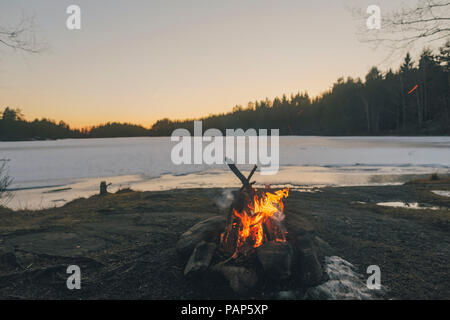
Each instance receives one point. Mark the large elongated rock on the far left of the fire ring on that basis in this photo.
(208, 230)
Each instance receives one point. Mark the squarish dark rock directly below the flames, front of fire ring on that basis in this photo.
(276, 259)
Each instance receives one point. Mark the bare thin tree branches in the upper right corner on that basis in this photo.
(427, 21)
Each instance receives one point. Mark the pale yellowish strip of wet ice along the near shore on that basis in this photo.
(56, 193)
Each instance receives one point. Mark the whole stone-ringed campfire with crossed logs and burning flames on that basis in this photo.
(253, 248)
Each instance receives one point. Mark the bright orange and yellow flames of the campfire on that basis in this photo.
(265, 211)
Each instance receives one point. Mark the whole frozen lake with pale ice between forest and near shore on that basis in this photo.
(49, 173)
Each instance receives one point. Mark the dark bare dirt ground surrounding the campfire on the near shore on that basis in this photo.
(125, 243)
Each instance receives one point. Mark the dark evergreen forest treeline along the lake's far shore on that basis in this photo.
(414, 99)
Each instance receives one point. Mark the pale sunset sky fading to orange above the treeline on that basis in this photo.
(142, 60)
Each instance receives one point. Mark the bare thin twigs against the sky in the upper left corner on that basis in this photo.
(21, 36)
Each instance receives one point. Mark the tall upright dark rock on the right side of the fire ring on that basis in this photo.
(311, 273)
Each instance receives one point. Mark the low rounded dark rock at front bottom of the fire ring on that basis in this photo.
(240, 279)
